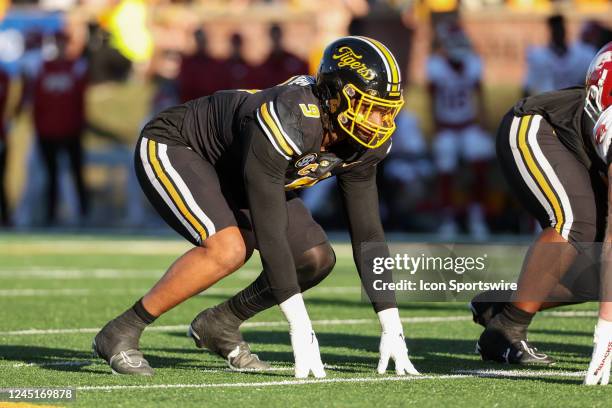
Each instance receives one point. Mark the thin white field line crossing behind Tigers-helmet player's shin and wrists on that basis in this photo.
(122, 291)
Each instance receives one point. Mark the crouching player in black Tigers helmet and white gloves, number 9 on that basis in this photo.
(220, 171)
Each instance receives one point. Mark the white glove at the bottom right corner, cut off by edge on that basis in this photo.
(599, 368)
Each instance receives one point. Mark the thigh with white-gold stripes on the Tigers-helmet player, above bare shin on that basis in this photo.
(183, 188)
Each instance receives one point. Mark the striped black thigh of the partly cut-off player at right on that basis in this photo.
(552, 184)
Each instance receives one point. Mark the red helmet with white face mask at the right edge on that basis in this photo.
(599, 83)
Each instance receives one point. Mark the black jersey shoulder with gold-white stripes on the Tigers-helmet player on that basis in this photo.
(291, 121)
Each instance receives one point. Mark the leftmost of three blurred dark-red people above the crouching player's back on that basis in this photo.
(200, 74)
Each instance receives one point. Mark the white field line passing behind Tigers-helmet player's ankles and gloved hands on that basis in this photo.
(425, 319)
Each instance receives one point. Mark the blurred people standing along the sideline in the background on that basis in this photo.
(443, 180)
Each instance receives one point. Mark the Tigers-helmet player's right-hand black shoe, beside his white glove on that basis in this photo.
(217, 329)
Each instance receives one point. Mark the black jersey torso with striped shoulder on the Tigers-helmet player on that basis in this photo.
(288, 115)
